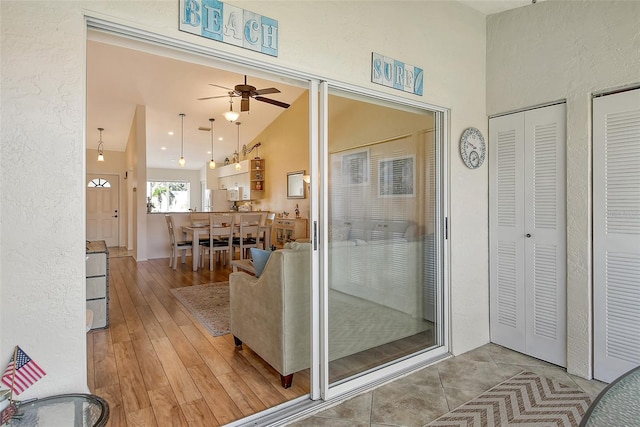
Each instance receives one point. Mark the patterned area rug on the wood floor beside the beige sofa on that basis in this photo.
(208, 303)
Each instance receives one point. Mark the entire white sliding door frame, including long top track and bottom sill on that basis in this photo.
(318, 157)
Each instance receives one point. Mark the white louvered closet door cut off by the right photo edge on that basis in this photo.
(616, 233)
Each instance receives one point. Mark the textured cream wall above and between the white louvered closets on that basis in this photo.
(566, 50)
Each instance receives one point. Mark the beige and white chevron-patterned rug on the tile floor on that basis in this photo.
(526, 399)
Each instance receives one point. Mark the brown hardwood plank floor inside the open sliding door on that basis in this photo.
(157, 366)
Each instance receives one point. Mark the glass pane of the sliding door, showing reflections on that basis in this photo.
(384, 280)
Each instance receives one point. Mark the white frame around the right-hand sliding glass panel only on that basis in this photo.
(357, 384)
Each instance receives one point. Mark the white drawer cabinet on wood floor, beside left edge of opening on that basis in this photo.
(97, 282)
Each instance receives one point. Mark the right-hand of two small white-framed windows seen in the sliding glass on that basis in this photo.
(396, 177)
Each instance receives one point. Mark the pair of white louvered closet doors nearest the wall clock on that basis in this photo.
(527, 228)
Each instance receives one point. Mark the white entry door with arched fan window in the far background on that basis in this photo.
(102, 208)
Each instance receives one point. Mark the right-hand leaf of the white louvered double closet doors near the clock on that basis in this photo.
(545, 233)
